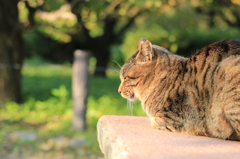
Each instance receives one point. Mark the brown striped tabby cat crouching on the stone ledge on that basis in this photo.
(199, 95)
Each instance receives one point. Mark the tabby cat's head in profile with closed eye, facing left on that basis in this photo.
(136, 70)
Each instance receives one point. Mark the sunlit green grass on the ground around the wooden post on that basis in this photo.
(47, 109)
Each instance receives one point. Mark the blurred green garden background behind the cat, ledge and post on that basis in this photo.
(38, 39)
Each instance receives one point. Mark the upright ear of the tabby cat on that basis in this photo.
(145, 50)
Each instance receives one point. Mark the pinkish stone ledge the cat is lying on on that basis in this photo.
(128, 137)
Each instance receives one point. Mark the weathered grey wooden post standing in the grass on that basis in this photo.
(80, 89)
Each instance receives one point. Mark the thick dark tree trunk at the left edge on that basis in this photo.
(11, 52)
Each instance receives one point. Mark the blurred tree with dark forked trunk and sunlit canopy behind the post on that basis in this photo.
(95, 25)
